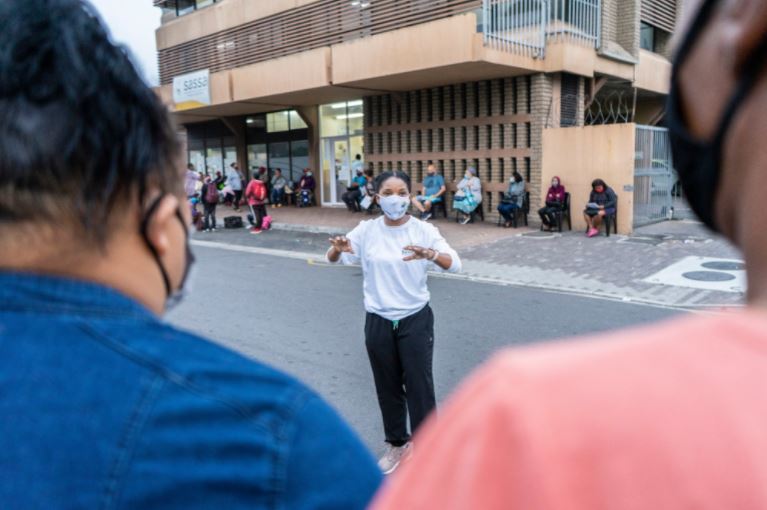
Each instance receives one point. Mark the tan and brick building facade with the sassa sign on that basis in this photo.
(403, 83)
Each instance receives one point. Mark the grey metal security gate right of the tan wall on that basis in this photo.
(654, 176)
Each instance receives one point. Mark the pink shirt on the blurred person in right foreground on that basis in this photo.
(668, 417)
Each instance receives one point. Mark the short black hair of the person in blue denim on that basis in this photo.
(80, 131)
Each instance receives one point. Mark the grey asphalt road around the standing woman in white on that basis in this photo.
(307, 320)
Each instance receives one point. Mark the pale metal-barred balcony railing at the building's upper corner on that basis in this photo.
(525, 26)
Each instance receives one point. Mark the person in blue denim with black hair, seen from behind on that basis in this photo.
(104, 403)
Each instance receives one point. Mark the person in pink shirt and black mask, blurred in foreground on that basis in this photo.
(667, 416)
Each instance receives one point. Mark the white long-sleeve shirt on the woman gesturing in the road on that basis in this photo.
(393, 288)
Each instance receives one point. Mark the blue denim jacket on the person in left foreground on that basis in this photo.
(104, 406)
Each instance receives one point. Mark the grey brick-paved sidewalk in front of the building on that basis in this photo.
(613, 268)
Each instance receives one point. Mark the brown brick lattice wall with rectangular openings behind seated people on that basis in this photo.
(493, 125)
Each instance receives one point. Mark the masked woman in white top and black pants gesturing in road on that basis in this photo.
(396, 251)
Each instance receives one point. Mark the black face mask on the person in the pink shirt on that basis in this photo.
(699, 162)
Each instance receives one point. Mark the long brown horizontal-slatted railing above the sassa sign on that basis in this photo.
(318, 24)
